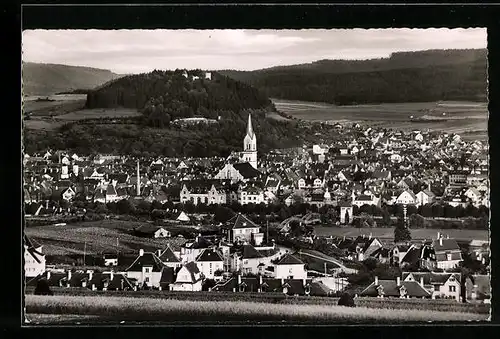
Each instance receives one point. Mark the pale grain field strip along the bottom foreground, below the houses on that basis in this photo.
(117, 309)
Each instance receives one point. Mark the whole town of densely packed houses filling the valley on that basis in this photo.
(266, 222)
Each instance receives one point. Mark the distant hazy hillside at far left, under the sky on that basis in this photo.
(48, 79)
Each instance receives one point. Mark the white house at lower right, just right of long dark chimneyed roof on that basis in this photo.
(439, 285)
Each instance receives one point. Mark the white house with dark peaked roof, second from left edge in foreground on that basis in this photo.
(147, 269)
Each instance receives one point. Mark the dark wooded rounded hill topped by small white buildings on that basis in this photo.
(167, 95)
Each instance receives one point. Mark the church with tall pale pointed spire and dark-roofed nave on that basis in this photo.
(246, 169)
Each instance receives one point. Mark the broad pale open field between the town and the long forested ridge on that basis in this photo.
(466, 118)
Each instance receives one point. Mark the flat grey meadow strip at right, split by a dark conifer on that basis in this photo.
(388, 233)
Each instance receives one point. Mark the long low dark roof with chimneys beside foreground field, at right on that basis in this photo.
(395, 289)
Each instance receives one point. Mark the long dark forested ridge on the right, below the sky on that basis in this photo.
(403, 77)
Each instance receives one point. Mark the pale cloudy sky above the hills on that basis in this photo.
(137, 51)
